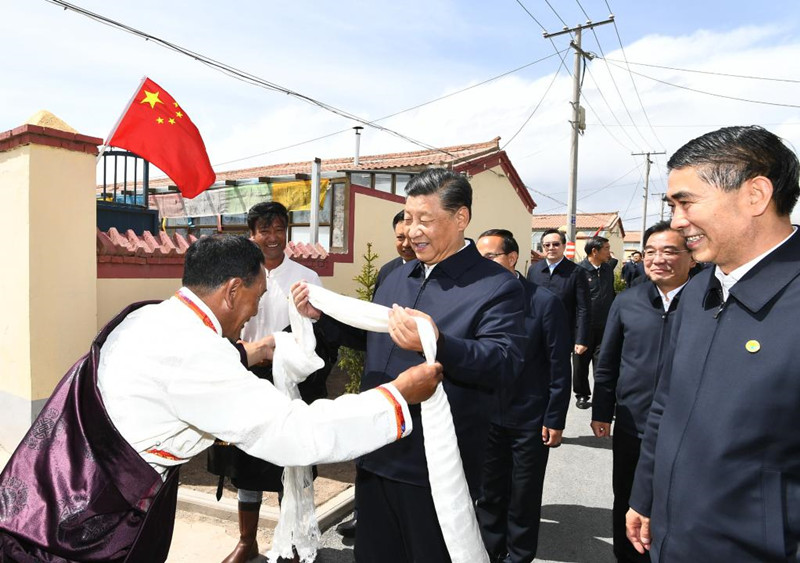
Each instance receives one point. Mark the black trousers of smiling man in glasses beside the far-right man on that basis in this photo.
(626, 456)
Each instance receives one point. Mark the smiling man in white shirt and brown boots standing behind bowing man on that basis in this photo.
(268, 223)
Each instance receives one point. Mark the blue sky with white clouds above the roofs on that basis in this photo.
(374, 58)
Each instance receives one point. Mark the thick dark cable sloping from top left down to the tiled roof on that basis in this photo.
(241, 75)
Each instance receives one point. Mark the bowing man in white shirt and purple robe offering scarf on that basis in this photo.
(93, 481)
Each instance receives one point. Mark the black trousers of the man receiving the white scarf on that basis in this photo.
(397, 522)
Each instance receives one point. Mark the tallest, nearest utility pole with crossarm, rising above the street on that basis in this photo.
(578, 119)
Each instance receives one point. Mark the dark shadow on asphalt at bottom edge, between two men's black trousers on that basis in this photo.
(572, 532)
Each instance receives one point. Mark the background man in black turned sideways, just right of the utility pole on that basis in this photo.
(598, 271)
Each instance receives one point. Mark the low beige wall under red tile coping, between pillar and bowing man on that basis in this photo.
(113, 294)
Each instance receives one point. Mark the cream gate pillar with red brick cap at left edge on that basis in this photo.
(48, 283)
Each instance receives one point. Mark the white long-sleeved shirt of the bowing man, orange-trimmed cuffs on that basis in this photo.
(171, 384)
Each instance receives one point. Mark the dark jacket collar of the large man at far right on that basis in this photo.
(763, 282)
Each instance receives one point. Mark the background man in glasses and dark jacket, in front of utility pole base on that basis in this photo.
(561, 276)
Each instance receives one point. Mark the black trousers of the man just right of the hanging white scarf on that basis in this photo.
(511, 505)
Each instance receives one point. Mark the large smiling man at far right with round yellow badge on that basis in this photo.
(719, 470)
